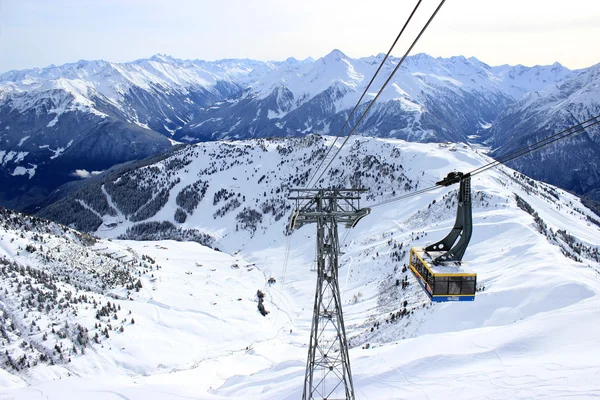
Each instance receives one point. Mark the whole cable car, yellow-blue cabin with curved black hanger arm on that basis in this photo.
(438, 267)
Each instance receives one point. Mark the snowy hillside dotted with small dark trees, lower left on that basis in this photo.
(57, 285)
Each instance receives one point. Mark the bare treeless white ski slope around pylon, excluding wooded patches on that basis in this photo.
(531, 333)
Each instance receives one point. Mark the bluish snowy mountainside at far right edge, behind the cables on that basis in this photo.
(572, 163)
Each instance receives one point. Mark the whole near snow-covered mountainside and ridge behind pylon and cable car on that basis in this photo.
(87, 315)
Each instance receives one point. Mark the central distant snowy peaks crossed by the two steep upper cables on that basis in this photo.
(317, 97)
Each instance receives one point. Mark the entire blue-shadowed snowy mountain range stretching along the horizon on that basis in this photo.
(69, 122)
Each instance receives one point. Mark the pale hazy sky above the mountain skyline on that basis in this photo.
(36, 33)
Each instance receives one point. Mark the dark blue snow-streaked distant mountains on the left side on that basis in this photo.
(62, 123)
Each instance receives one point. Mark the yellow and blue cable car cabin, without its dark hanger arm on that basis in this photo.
(449, 281)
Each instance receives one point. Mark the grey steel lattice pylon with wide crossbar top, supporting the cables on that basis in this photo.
(328, 373)
